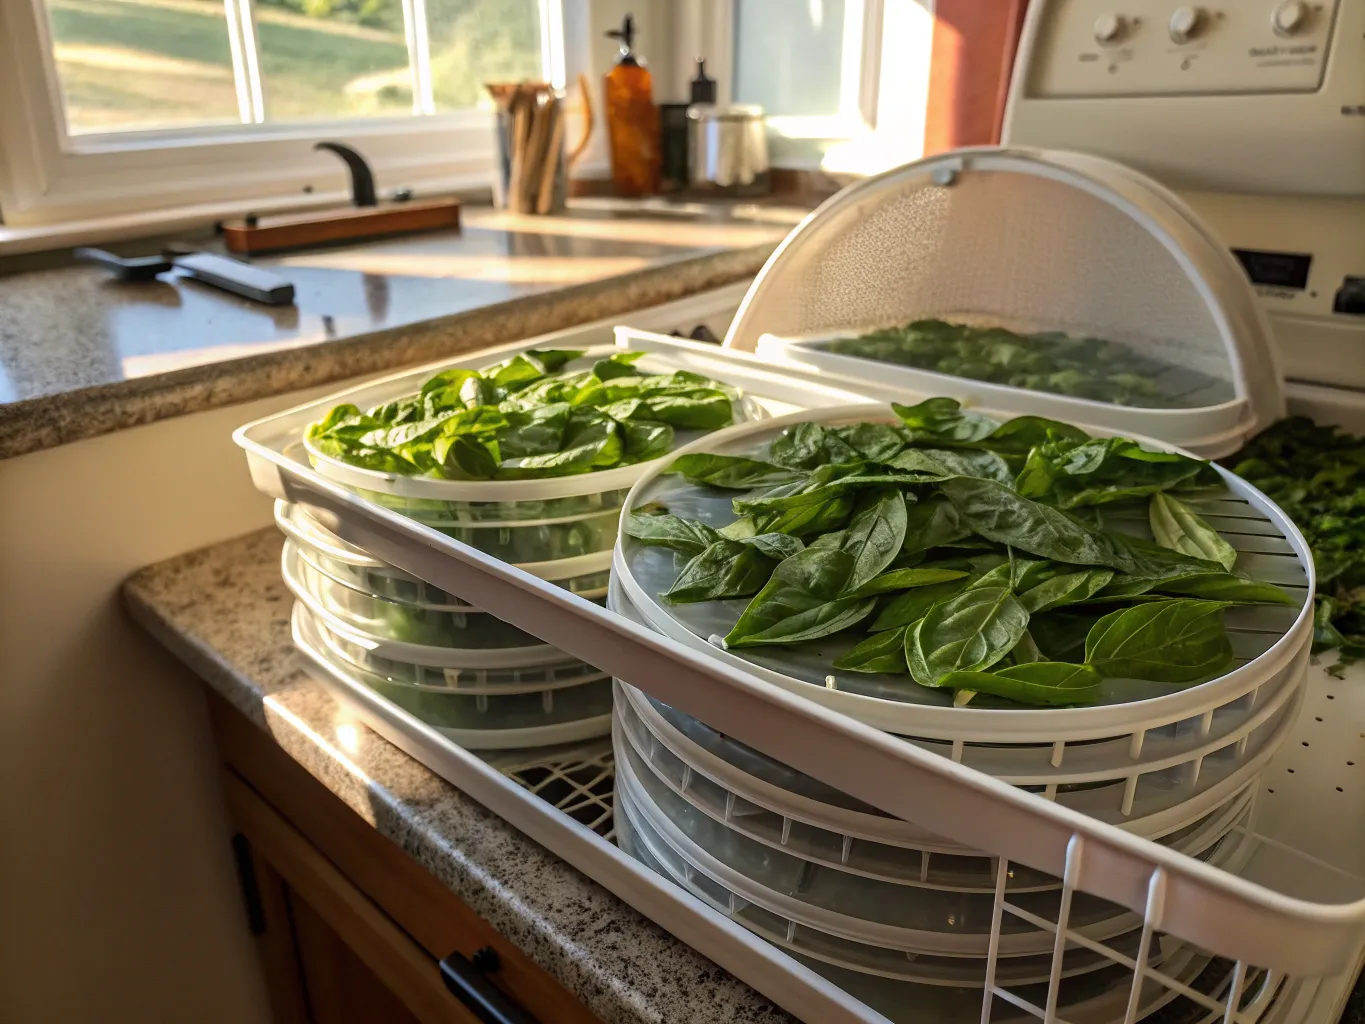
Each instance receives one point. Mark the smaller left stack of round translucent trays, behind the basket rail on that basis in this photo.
(484, 683)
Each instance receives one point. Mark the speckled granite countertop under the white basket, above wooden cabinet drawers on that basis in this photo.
(226, 614)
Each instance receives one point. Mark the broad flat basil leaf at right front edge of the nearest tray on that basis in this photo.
(1164, 641)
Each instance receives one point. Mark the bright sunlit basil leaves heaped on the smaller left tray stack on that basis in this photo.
(526, 418)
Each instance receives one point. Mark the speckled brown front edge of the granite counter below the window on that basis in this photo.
(54, 420)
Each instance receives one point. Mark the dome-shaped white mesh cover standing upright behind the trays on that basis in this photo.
(1049, 283)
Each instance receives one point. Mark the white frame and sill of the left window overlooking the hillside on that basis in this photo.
(50, 177)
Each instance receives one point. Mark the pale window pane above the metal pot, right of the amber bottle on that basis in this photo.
(788, 55)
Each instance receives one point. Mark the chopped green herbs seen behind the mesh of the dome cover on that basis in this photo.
(1083, 368)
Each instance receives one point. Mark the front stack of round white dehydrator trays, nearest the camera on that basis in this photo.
(854, 892)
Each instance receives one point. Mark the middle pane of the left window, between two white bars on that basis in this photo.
(334, 59)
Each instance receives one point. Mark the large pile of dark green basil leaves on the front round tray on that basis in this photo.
(966, 554)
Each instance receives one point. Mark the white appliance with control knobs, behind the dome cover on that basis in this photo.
(1255, 113)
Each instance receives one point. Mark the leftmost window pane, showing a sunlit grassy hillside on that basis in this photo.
(143, 63)
